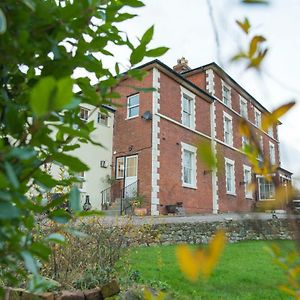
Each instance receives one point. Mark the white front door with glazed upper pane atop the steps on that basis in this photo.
(131, 165)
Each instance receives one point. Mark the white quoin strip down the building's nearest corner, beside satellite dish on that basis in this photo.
(155, 144)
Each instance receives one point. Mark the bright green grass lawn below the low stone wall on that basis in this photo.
(245, 271)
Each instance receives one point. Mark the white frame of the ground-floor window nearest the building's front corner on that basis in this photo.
(193, 150)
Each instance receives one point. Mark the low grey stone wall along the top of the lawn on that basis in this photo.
(201, 232)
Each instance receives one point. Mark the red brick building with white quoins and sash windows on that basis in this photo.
(156, 135)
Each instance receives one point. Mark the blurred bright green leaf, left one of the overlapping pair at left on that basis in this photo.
(41, 95)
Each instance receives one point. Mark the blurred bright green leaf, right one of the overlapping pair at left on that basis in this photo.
(64, 93)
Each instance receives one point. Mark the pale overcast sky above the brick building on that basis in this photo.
(185, 27)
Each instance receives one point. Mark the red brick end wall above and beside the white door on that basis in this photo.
(135, 133)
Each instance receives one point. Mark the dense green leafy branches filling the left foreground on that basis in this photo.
(42, 43)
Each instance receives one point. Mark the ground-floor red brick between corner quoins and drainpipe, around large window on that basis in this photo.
(171, 189)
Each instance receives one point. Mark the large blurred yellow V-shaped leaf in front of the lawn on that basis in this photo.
(196, 262)
